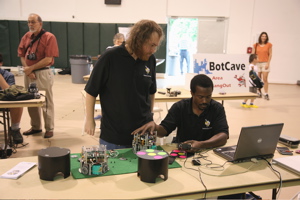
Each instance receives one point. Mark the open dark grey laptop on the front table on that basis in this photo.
(254, 142)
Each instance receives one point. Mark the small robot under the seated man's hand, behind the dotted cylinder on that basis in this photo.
(142, 142)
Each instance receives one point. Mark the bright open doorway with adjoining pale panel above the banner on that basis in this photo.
(188, 36)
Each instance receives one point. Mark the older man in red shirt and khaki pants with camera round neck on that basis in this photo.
(37, 50)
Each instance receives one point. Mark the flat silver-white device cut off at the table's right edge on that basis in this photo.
(291, 163)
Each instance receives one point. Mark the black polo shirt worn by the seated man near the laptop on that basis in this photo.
(192, 127)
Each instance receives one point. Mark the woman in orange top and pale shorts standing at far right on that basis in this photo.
(263, 49)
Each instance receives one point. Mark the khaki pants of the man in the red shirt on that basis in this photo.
(44, 82)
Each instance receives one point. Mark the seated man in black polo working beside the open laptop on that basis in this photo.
(200, 120)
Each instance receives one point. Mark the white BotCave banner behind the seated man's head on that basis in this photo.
(229, 72)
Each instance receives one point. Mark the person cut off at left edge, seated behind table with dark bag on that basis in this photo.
(7, 79)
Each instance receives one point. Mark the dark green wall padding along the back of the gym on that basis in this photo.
(72, 38)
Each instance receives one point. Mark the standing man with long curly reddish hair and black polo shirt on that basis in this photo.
(124, 77)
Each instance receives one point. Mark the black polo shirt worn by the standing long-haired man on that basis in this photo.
(124, 85)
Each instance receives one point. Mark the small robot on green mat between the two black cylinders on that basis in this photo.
(93, 160)
